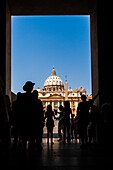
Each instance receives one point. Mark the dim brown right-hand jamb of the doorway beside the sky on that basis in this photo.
(94, 55)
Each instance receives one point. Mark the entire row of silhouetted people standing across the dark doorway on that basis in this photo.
(26, 118)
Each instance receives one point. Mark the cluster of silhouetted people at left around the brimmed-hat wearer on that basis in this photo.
(28, 118)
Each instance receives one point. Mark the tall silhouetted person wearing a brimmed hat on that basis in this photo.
(27, 110)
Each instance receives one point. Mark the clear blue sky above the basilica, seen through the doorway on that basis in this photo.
(41, 42)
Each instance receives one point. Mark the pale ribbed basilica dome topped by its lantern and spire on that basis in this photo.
(53, 80)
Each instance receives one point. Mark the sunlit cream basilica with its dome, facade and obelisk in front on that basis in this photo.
(55, 93)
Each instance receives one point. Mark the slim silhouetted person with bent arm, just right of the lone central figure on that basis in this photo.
(60, 123)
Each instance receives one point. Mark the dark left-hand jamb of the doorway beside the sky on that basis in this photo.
(5, 47)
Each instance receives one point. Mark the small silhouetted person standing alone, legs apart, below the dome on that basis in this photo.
(50, 122)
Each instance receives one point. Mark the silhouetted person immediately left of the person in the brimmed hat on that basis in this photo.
(16, 112)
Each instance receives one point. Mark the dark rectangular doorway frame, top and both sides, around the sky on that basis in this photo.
(38, 8)
